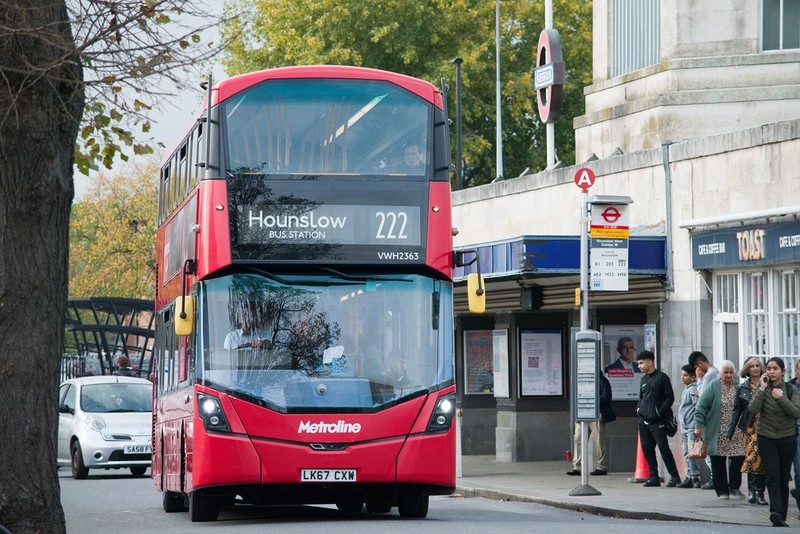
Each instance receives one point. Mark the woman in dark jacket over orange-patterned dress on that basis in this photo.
(746, 422)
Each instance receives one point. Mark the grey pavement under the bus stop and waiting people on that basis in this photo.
(547, 483)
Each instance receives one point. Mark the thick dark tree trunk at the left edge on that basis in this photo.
(41, 104)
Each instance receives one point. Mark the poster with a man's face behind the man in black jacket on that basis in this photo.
(621, 344)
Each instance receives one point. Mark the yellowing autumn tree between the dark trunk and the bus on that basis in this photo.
(112, 235)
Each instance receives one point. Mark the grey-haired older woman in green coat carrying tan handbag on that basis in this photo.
(712, 417)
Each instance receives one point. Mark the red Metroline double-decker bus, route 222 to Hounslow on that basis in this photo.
(304, 322)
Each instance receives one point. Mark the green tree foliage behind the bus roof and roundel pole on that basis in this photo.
(420, 38)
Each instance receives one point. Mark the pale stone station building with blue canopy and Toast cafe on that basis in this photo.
(709, 152)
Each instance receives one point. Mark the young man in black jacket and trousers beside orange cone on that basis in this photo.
(655, 406)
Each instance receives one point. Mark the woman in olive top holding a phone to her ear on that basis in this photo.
(778, 409)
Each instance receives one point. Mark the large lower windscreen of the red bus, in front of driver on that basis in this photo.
(321, 342)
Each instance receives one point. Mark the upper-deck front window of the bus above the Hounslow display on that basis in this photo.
(314, 127)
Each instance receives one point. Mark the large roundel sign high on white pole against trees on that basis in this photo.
(548, 78)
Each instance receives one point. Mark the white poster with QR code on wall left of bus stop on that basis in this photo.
(541, 365)
